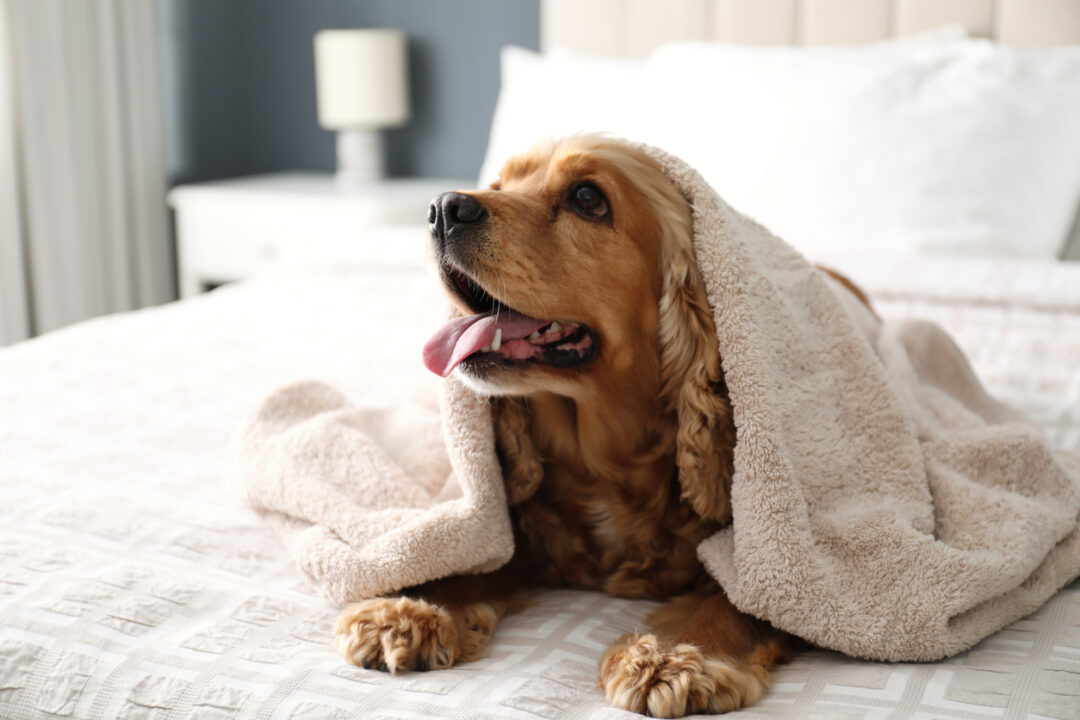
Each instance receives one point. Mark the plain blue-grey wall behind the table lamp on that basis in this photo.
(240, 94)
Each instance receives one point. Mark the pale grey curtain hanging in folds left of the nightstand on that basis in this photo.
(84, 227)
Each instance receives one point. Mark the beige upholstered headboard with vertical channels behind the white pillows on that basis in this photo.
(634, 28)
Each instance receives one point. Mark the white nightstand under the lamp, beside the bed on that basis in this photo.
(229, 229)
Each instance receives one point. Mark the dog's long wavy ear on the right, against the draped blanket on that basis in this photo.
(693, 379)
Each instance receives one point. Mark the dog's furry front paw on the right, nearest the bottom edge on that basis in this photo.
(639, 674)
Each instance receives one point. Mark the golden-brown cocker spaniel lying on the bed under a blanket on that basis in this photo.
(585, 318)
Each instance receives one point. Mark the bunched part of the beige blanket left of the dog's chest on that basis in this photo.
(372, 500)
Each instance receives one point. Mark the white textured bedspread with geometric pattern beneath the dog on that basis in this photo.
(133, 587)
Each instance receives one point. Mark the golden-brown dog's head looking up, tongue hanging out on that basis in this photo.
(574, 268)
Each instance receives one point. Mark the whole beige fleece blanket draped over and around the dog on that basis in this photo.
(884, 505)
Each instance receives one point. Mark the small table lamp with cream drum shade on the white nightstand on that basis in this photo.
(362, 87)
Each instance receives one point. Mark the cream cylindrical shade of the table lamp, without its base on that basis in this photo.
(362, 79)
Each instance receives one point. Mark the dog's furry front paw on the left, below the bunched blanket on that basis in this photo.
(397, 635)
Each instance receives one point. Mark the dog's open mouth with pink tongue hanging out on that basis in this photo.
(498, 335)
